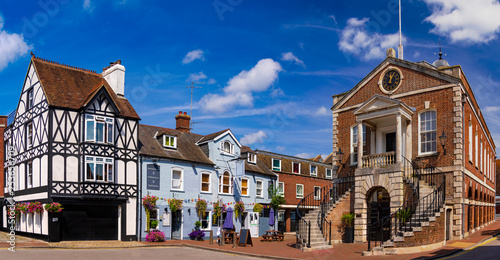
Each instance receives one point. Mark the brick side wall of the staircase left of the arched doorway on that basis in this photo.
(335, 215)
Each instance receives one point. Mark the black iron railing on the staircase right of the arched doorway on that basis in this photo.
(415, 210)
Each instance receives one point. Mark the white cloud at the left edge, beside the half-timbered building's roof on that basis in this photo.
(12, 46)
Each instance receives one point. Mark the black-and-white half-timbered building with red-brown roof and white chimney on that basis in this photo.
(75, 142)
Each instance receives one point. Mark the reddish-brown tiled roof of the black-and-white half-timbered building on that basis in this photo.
(70, 87)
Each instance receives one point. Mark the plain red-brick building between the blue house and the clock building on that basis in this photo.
(297, 177)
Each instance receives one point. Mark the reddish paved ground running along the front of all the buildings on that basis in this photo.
(271, 250)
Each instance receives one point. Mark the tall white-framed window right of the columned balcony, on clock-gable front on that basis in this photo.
(427, 132)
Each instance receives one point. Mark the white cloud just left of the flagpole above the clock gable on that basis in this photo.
(356, 40)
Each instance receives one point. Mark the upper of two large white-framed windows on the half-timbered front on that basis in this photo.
(99, 129)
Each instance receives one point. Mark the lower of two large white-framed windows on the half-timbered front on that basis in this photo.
(99, 169)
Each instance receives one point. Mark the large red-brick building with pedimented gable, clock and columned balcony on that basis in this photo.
(416, 139)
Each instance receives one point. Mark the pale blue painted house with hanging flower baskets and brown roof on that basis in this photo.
(178, 164)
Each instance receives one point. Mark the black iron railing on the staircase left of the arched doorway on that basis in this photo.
(320, 200)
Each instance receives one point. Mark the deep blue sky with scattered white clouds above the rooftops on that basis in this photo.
(269, 68)
